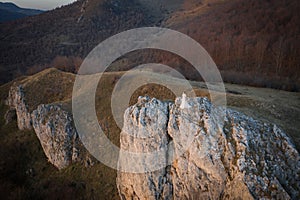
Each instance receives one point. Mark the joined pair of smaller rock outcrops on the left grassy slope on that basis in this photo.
(53, 126)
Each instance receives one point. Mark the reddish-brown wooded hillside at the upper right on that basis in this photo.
(257, 37)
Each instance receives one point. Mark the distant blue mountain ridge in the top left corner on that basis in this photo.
(10, 11)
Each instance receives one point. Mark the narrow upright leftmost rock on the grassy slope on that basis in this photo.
(16, 100)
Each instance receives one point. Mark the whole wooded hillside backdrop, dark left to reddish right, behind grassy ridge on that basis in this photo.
(252, 42)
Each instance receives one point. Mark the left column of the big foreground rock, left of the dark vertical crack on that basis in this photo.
(144, 131)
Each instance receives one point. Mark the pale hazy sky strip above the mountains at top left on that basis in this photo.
(40, 4)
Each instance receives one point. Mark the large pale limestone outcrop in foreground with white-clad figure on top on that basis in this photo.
(217, 153)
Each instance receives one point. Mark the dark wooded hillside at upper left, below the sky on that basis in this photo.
(67, 31)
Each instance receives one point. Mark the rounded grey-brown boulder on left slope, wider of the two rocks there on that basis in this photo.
(55, 130)
